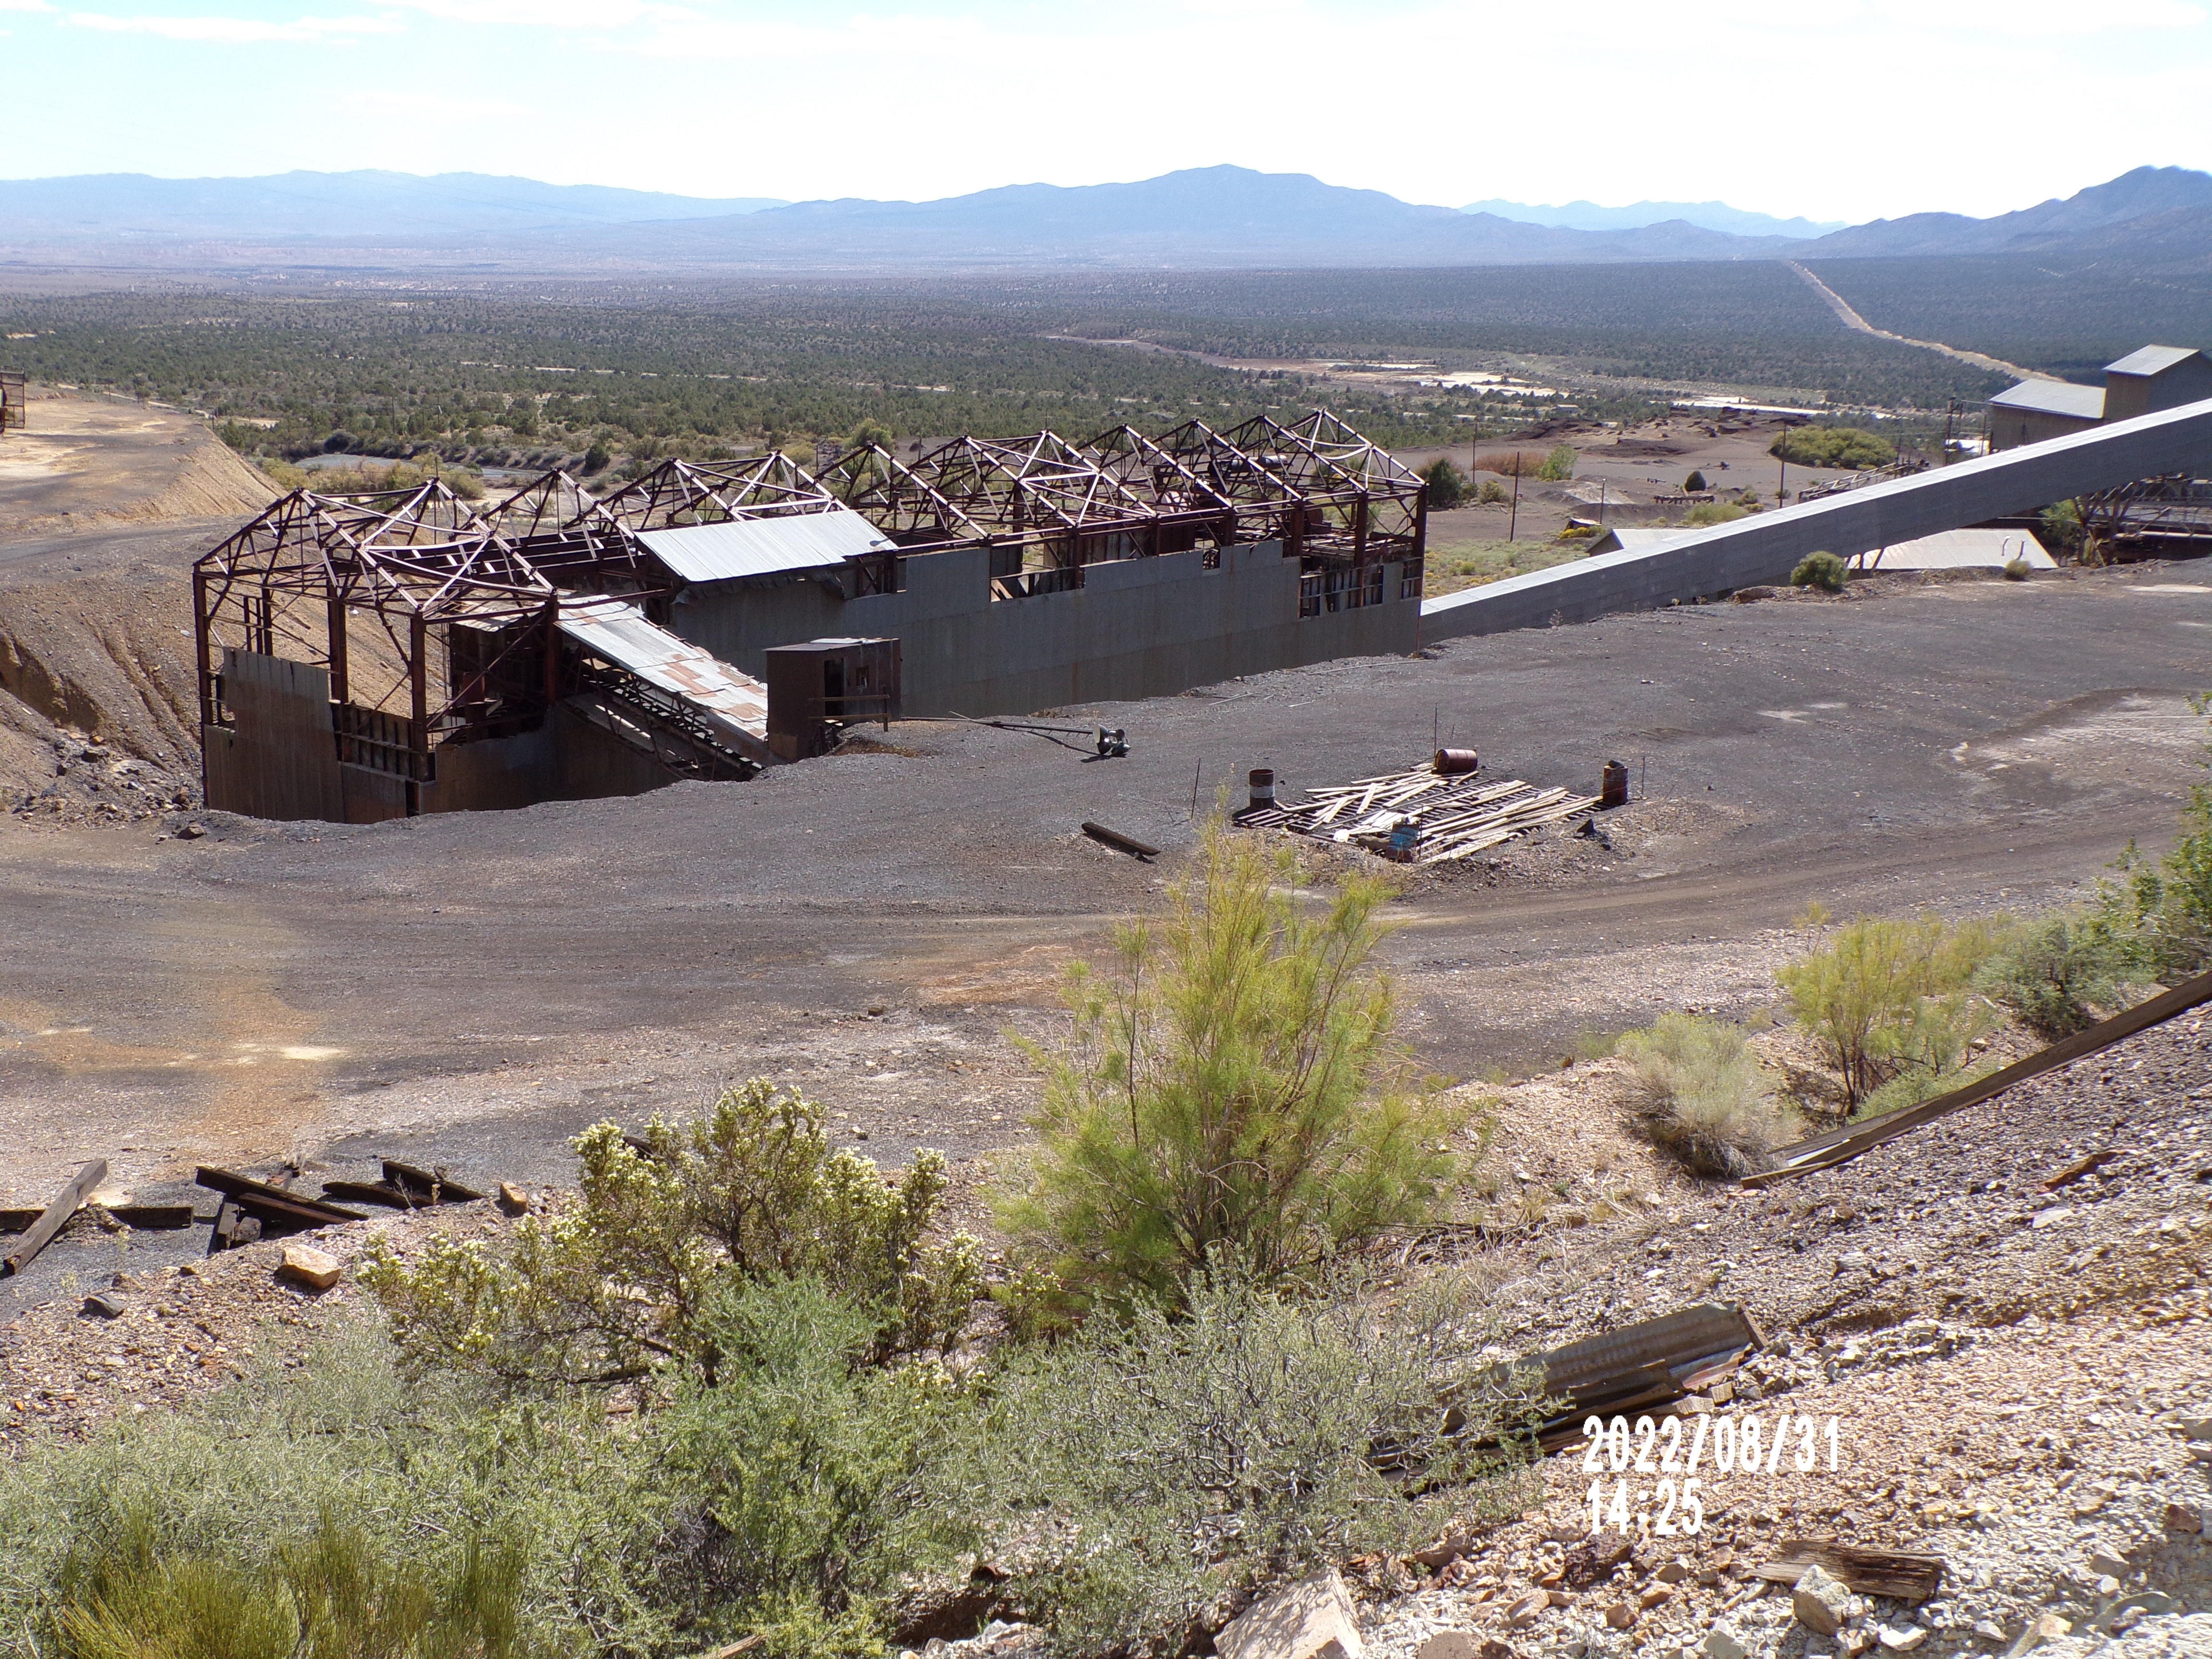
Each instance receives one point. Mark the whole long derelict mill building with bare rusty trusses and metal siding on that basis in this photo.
(390, 654)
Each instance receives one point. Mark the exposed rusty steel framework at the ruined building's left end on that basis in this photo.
(355, 585)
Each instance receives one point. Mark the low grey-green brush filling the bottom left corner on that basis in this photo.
(331, 1501)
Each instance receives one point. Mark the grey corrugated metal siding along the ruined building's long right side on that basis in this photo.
(1136, 629)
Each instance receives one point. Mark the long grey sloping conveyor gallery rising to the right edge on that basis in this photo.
(1766, 547)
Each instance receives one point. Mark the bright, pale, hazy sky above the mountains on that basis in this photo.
(1848, 109)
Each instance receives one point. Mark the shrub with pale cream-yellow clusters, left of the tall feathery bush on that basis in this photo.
(614, 1286)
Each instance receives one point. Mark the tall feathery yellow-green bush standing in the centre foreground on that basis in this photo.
(1233, 1085)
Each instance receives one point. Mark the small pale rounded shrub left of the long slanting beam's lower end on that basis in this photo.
(1704, 1094)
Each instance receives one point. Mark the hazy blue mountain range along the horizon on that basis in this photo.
(1196, 220)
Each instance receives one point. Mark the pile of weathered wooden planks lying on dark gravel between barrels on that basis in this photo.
(1450, 815)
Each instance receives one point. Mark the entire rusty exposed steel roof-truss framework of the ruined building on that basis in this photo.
(355, 583)
